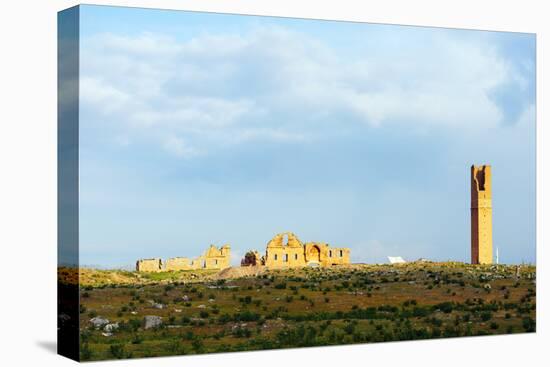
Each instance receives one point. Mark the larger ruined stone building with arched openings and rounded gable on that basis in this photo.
(294, 253)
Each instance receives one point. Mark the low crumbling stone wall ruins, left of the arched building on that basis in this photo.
(212, 258)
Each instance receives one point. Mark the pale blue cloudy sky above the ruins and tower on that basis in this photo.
(204, 128)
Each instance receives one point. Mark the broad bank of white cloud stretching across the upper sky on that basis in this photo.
(274, 84)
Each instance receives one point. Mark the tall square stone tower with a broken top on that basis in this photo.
(481, 215)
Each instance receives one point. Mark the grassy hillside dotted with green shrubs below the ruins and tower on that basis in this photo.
(250, 309)
